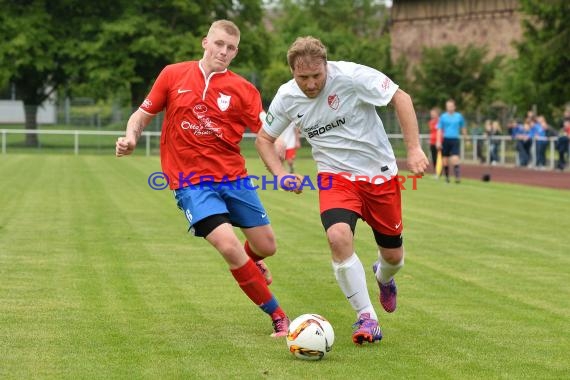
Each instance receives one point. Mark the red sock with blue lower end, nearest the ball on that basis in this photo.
(253, 284)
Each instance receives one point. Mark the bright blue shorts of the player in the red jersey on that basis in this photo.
(242, 205)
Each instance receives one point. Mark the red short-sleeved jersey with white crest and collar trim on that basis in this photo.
(204, 122)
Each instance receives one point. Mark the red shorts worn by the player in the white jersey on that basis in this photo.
(378, 205)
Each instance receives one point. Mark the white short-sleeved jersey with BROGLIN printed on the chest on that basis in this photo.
(341, 123)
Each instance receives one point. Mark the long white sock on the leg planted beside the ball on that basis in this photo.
(352, 281)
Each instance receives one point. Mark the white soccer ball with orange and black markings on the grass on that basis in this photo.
(310, 337)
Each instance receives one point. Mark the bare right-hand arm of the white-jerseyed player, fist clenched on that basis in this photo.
(417, 160)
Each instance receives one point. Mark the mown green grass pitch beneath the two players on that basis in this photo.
(99, 280)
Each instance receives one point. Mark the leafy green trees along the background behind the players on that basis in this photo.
(104, 48)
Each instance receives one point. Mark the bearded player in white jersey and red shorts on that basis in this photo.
(334, 106)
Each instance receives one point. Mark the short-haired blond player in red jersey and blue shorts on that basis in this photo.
(207, 109)
